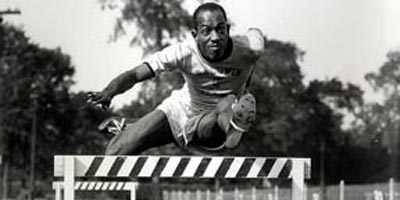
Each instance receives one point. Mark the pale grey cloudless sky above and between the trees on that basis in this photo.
(342, 38)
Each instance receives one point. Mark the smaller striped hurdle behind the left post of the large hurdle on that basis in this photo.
(58, 186)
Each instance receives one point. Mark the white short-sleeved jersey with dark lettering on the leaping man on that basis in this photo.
(206, 83)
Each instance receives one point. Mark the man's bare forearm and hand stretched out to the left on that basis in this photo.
(120, 84)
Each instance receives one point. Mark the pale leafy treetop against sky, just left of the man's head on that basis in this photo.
(156, 21)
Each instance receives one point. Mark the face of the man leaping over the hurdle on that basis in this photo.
(212, 35)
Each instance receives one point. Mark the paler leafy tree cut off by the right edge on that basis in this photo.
(382, 119)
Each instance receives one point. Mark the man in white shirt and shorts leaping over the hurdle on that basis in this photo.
(213, 108)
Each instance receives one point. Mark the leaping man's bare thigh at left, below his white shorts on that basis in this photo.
(152, 130)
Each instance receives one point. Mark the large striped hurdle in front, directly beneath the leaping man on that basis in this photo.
(70, 167)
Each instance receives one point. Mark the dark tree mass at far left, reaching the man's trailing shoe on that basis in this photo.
(37, 108)
